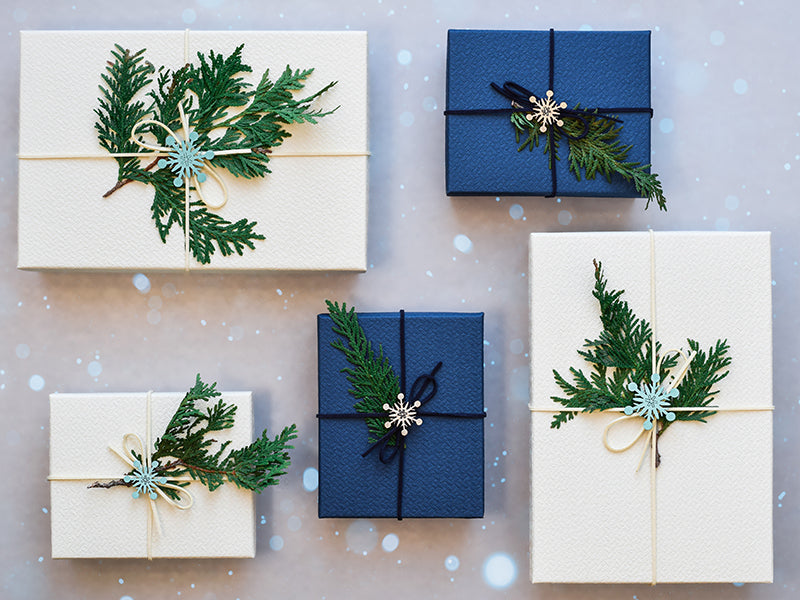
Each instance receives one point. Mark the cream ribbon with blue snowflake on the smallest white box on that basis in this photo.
(144, 478)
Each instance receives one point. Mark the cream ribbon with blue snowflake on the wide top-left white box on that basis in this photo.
(183, 159)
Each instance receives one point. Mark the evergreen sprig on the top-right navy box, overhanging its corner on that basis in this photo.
(598, 152)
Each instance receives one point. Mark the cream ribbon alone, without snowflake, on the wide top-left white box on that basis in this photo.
(164, 151)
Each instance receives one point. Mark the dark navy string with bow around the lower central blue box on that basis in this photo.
(417, 394)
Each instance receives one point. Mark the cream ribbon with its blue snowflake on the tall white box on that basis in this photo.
(669, 390)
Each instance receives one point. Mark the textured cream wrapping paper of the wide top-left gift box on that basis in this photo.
(312, 210)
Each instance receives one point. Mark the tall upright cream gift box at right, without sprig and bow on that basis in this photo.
(710, 520)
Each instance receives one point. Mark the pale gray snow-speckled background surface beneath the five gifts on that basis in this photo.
(726, 142)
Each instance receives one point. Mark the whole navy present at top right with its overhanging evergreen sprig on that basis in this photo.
(515, 96)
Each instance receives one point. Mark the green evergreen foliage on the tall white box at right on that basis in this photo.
(622, 353)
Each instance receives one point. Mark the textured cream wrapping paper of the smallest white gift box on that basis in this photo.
(109, 523)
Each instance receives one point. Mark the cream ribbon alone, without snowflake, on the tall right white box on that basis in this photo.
(670, 382)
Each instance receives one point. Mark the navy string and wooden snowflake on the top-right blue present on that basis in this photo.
(545, 110)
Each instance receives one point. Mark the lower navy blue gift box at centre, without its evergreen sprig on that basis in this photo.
(437, 469)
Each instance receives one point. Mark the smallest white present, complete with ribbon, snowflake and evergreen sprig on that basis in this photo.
(157, 475)
